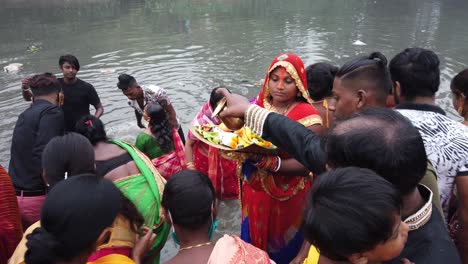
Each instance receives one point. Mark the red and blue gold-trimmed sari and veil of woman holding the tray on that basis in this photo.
(272, 203)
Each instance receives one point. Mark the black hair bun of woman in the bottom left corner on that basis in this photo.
(41, 247)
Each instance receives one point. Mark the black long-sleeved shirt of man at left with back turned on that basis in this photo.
(34, 129)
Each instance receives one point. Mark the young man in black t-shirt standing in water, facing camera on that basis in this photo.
(78, 93)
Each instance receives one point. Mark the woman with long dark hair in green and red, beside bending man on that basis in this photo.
(160, 142)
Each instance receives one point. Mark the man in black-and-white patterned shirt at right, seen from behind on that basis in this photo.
(416, 77)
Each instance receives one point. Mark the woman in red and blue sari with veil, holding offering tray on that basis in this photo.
(274, 187)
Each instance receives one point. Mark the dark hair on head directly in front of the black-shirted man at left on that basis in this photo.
(72, 154)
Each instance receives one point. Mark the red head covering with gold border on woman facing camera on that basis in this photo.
(295, 67)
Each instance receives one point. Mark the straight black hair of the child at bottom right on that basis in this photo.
(350, 210)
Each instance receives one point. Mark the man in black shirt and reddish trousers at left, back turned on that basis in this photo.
(35, 127)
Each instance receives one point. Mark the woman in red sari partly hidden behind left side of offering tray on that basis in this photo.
(208, 159)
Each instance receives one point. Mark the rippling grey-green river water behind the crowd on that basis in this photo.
(190, 46)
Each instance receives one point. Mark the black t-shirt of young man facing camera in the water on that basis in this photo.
(77, 98)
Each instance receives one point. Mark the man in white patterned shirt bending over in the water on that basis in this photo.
(139, 97)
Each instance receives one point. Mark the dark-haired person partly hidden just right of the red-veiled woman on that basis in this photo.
(320, 78)
